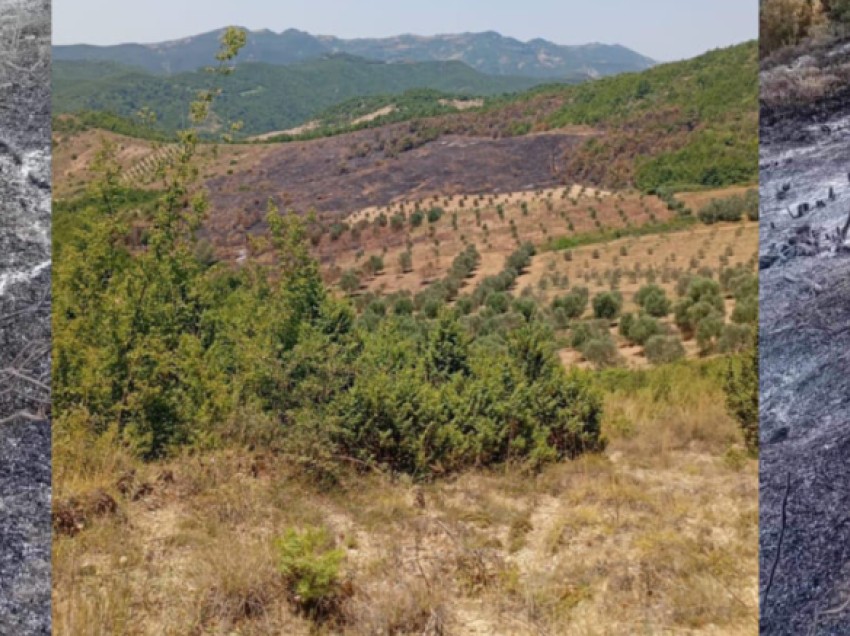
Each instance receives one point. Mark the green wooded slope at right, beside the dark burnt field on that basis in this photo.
(714, 97)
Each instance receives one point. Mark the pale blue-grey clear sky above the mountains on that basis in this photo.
(664, 30)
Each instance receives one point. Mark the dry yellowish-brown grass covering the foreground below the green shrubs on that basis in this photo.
(659, 535)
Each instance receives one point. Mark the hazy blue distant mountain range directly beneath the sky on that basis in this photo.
(487, 52)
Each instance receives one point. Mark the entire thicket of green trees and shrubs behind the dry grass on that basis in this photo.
(167, 349)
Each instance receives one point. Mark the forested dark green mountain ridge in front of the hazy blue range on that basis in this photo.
(264, 97)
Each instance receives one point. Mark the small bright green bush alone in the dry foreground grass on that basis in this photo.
(310, 566)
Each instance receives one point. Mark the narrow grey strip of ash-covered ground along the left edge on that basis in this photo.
(24, 317)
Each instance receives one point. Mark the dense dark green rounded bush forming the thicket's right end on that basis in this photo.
(466, 404)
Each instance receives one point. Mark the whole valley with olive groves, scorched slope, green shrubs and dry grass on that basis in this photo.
(477, 371)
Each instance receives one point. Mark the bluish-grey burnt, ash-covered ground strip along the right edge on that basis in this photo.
(805, 346)
